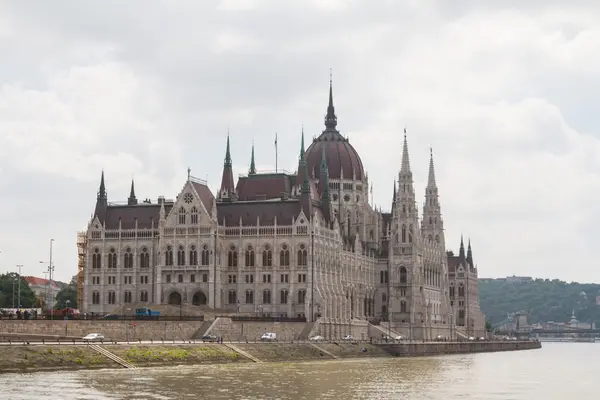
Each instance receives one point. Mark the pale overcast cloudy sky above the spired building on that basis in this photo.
(504, 94)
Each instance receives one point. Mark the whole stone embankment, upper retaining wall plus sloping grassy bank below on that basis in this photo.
(50, 345)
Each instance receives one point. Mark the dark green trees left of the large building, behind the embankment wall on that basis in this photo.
(9, 294)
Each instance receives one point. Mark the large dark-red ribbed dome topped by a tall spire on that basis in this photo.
(340, 155)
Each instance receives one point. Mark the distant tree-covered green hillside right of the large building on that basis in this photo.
(543, 299)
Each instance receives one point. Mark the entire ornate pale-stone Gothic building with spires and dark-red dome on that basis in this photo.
(307, 244)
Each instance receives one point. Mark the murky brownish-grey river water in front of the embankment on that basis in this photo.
(557, 371)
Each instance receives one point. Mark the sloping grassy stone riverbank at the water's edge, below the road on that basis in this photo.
(34, 358)
